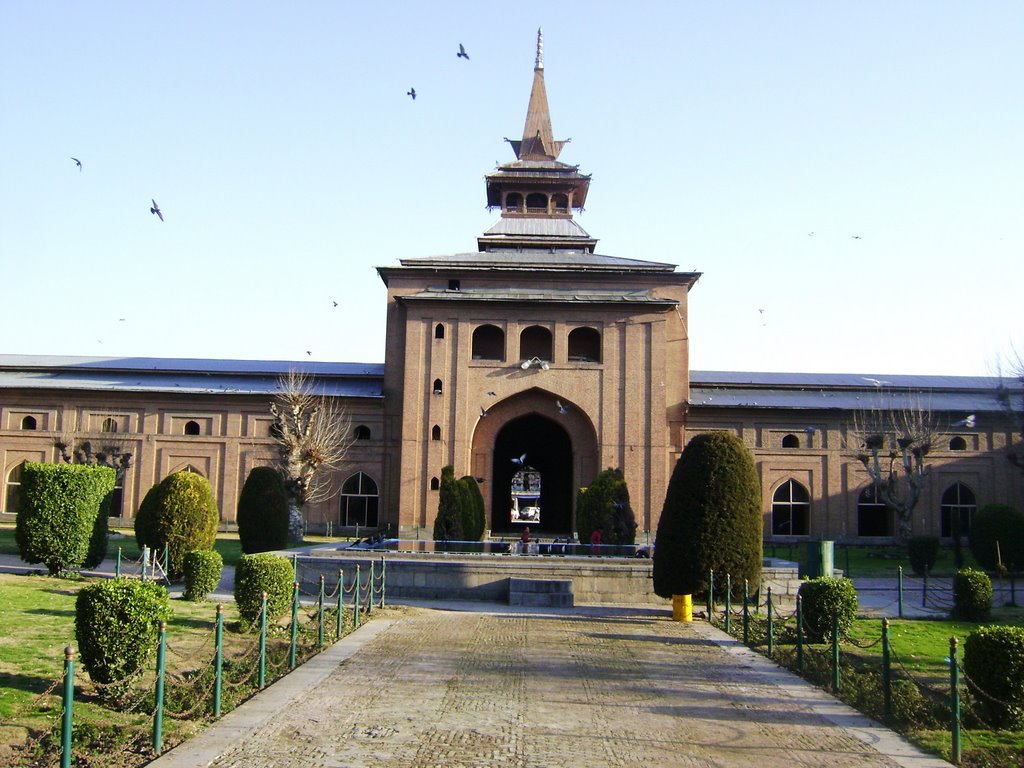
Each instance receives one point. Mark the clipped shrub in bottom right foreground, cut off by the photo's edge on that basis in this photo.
(994, 662)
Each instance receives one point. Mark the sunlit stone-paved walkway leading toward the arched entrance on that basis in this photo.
(494, 687)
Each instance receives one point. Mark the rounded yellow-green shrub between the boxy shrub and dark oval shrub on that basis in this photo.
(182, 514)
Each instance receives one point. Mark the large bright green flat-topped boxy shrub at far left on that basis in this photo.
(62, 518)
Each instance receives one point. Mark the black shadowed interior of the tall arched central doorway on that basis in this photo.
(548, 450)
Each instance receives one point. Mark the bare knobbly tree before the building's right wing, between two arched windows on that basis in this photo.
(893, 445)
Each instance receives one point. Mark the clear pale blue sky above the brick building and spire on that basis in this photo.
(750, 142)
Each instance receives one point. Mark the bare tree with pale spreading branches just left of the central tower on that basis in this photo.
(314, 436)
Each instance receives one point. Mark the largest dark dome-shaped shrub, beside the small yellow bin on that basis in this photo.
(711, 519)
